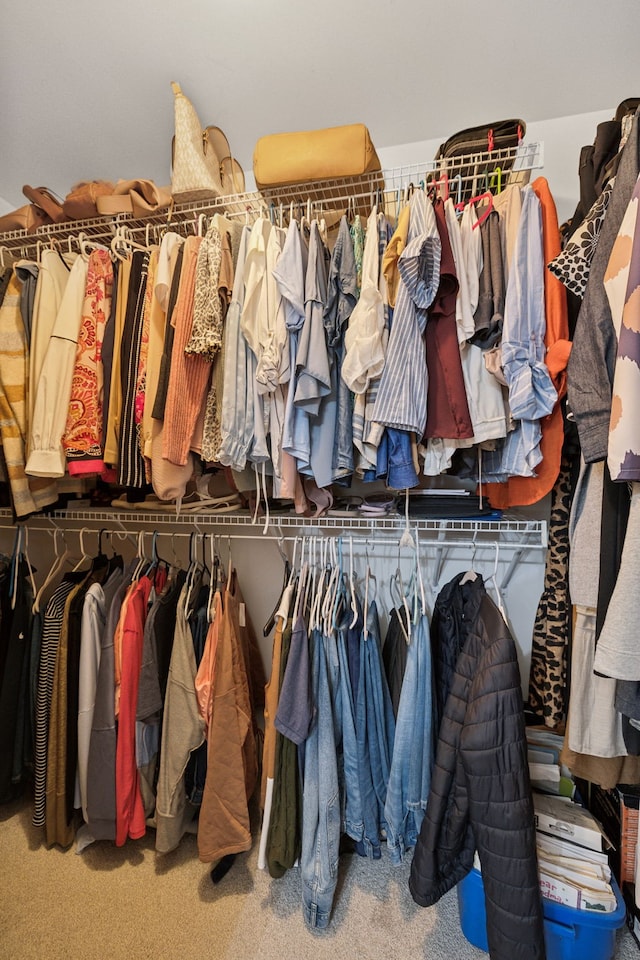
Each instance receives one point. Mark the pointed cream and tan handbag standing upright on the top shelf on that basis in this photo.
(202, 165)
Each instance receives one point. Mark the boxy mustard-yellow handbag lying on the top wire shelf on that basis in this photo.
(328, 154)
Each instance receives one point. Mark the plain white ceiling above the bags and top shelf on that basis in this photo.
(86, 86)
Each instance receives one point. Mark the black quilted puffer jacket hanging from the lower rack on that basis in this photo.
(480, 795)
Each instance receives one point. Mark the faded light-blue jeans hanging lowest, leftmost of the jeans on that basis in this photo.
(321, 794)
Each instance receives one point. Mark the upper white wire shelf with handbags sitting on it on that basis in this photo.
(386, 187)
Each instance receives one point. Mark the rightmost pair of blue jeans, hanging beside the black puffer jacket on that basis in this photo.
(413, 750)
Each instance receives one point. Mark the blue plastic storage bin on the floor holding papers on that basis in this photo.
(569, 934)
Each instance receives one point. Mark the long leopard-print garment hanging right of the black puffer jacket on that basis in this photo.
(551, 631)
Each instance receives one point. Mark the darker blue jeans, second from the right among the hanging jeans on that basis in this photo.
(375, 728)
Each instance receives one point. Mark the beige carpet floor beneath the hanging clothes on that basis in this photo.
(130, 904)
